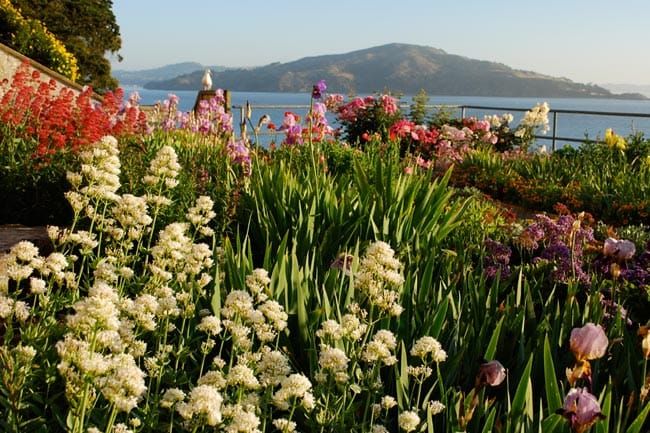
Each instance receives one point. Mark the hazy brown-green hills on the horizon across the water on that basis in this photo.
(400, 68)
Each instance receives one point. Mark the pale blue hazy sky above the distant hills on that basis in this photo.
(598, 41)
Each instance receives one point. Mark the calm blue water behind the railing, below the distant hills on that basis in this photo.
(568, 125)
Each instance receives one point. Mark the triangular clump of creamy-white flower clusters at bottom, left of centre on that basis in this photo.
(256, 369)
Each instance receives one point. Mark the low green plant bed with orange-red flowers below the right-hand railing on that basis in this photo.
(612, 185)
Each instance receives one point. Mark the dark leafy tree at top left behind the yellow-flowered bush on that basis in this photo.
(88, 29)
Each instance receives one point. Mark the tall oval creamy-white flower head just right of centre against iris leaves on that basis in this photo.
(379, 278)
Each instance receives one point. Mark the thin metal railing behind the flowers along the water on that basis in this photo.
(553, 114)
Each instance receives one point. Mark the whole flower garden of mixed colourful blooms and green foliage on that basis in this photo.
(368, 277)
